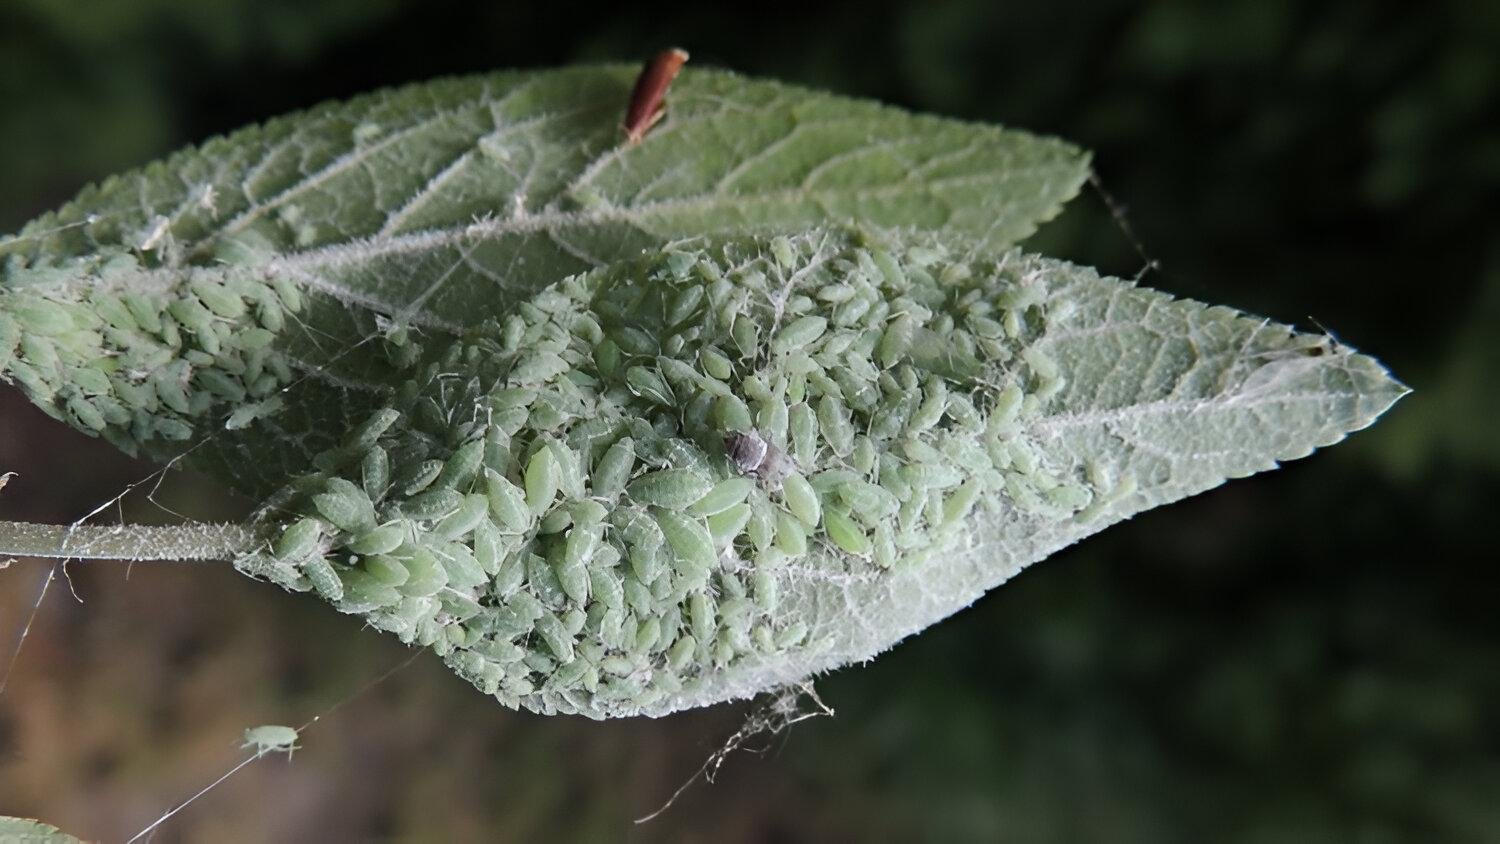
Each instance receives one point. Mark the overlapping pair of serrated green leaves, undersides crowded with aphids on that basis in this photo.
(497, 376)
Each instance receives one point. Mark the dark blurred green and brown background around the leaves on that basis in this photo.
(1306, 656)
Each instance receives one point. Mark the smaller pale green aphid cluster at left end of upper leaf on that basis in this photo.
(143, 370)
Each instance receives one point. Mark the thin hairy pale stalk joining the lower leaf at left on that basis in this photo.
(128, 542)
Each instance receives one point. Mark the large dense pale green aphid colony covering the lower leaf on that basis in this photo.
(593, 504)
